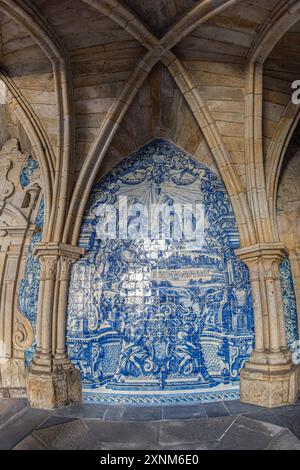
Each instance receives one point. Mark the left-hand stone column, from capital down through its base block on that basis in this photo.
(52, 381)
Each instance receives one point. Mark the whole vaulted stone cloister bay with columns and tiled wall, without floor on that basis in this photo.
(175, 101)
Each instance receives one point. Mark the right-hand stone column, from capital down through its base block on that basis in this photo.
(269, 378)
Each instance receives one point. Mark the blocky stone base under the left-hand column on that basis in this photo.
(55, 389)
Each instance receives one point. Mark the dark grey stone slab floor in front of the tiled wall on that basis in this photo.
(223, 425)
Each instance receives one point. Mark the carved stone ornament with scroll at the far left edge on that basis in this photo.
(20, 193)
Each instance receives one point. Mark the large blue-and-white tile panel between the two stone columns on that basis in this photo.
(157, 314)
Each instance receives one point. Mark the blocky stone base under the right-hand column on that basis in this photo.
(269, 385)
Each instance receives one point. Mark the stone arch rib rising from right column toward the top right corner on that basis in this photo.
(285, 15)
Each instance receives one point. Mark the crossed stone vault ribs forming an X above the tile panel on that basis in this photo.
(159, 50)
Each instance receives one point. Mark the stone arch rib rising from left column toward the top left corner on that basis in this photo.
(30, 19)
